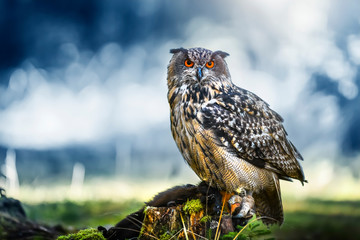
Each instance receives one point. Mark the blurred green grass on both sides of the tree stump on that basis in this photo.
(306, 219)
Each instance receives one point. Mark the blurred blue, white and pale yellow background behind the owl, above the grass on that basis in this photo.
(83, 106)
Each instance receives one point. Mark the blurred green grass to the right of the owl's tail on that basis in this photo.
(320, 219)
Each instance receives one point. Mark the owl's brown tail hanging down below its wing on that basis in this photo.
(268, 203)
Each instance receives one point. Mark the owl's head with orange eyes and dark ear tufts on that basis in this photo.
(197, 66)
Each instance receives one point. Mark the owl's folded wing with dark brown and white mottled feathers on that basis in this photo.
(246, 126)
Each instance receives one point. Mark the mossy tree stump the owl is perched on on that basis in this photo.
(183, 212)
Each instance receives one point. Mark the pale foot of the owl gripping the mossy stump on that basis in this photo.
(241, 208)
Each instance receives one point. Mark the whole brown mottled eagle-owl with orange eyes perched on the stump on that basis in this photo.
(229, 136)
